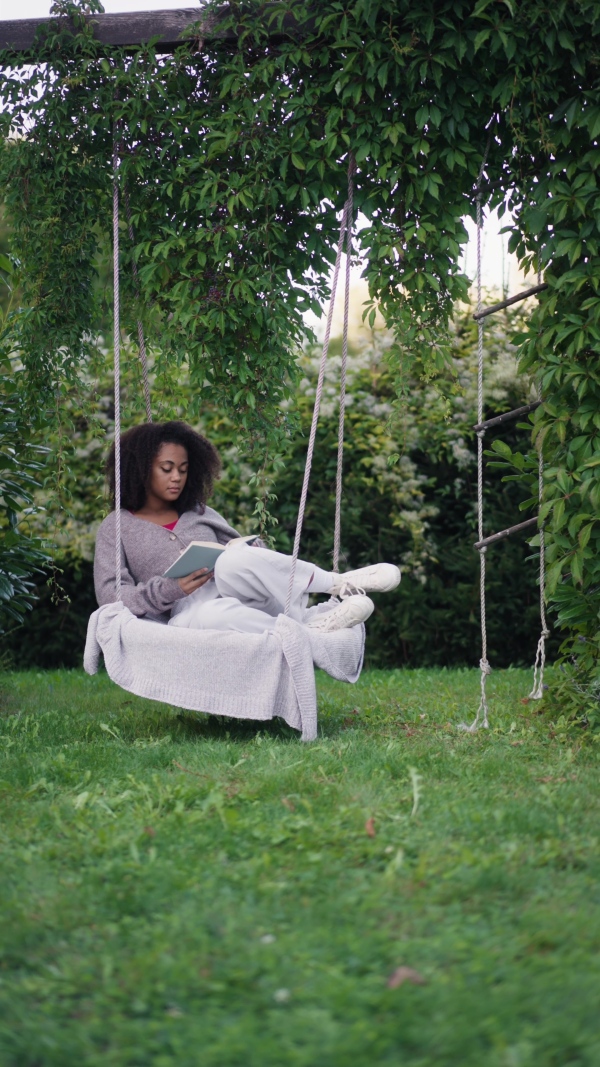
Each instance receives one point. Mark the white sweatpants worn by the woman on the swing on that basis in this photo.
(249, 592)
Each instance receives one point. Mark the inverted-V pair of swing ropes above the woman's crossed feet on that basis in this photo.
(345, 229)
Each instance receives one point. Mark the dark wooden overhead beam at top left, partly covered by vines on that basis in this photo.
(124, 30)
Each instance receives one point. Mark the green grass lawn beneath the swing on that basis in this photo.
(191, 891)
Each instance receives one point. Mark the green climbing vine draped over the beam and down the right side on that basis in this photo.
(234, 156)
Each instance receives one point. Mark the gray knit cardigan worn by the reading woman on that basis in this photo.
(147, 552)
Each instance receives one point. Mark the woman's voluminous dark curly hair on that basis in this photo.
(139, 449)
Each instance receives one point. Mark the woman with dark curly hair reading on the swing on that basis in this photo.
(167, 475)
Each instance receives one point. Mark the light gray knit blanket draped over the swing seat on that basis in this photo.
(224, 673)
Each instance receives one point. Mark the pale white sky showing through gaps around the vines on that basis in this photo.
(500, 269)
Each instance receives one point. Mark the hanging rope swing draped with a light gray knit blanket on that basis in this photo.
(227, 673)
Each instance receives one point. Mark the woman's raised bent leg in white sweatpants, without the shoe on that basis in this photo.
(260, 580)
